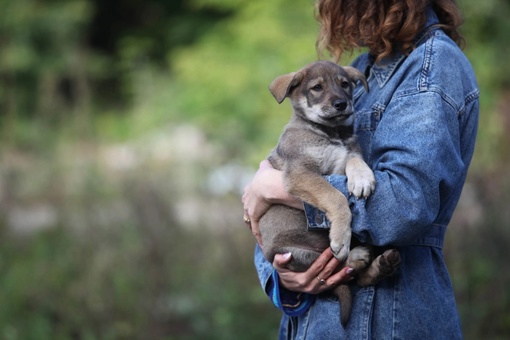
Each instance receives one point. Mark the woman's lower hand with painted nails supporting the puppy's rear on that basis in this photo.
(322, 275)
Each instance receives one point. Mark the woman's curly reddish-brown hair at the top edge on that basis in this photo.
(383, 26)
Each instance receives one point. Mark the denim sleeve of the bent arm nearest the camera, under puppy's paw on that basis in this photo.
(418, 164)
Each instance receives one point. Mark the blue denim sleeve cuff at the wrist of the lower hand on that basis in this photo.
(290, 303)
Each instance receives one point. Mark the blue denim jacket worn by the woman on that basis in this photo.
(417, 127)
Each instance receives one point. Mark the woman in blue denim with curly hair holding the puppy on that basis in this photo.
(417, 127)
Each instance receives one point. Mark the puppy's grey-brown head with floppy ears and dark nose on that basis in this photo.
(320, 92)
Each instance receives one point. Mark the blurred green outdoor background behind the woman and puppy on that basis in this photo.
(127, 131)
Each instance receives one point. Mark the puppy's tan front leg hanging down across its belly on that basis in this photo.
(315, 190)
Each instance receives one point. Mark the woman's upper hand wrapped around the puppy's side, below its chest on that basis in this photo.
(265, 189)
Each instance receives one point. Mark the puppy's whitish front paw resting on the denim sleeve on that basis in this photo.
(360, 178)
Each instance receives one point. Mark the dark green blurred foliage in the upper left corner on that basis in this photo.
(77, 58)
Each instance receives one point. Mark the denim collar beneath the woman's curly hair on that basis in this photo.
(383, 70)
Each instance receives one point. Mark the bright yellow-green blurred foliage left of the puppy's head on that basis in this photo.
(225, 78)
